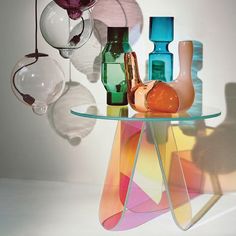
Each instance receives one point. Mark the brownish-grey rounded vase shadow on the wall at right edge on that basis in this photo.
(215, 154)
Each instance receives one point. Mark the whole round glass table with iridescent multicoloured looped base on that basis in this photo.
(153, 167)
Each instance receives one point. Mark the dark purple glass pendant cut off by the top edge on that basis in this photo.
(75, 8)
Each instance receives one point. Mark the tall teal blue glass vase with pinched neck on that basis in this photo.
(161, 60)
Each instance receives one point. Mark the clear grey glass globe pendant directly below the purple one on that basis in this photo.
(62, 32)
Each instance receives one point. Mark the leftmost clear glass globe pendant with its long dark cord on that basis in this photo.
(37, 80)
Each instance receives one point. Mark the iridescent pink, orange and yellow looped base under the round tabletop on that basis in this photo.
(145, 178)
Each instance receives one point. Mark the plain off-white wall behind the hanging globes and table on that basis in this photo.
(29, 148)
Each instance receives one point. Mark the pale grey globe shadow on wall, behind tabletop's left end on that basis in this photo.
(65, 124)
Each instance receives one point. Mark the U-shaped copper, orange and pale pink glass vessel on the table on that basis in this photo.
(158, 96)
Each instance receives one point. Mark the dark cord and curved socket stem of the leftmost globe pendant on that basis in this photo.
(26, 97)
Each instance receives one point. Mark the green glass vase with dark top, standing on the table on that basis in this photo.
(113, 69)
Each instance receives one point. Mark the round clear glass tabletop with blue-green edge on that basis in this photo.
(126, 113)
